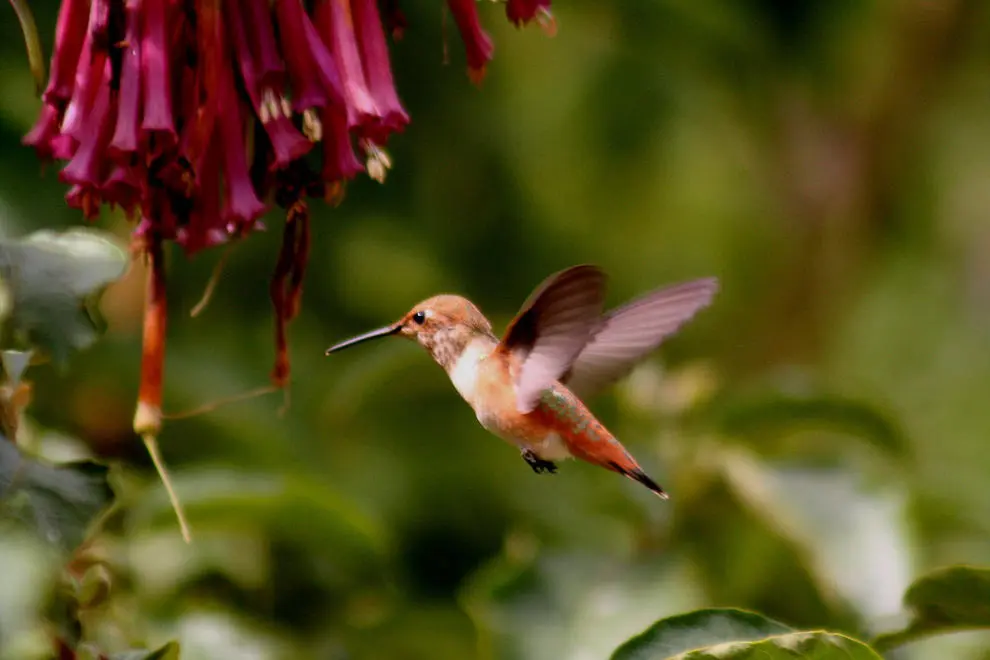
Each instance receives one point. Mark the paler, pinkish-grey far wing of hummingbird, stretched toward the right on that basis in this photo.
(628, 333)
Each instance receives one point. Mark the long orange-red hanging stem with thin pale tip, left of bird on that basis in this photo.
(148, 416)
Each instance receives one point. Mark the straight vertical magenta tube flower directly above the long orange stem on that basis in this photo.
(155, 71)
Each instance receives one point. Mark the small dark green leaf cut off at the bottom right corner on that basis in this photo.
(947, 600)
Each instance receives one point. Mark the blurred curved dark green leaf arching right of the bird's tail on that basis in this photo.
(772, 416)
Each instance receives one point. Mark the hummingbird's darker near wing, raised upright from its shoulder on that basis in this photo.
(551, 328)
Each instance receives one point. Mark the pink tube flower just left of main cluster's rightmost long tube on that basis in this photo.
(333, 22)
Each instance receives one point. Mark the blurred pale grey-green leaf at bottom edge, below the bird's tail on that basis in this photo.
(570, 606)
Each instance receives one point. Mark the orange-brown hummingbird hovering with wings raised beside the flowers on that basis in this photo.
(528, 387)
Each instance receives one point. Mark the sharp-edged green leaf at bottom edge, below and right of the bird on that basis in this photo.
(729, 633)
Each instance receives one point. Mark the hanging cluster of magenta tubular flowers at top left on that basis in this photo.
(195, 116)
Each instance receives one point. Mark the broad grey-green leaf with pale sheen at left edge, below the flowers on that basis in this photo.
(51, 286)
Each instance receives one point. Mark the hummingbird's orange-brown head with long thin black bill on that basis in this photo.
(443, 325)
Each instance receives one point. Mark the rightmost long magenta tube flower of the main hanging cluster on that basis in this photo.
(374, 55)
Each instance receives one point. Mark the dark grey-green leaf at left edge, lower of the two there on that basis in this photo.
(59, 502)
